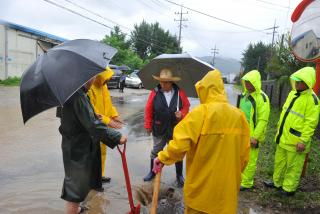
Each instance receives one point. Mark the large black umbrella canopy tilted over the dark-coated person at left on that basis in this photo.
(59, 73)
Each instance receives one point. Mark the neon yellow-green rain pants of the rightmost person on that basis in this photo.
(287, 169)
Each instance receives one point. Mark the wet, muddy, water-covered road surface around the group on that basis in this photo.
(31, 169)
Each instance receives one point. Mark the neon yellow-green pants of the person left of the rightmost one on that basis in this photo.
(247, 176)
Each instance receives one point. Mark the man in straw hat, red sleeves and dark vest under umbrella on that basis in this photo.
(166, 106)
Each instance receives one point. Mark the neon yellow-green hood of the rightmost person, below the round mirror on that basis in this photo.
(306, 74)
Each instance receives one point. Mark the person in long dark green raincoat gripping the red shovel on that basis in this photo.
(82, 133)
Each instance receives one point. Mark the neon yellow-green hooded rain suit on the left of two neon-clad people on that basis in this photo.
(256, 107)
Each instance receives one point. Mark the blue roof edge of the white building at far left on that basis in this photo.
(32, 31)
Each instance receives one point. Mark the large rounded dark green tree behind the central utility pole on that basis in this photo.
(150, 40)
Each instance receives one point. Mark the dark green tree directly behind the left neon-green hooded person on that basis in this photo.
(256, 57)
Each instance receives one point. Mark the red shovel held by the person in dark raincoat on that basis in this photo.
(134, 209)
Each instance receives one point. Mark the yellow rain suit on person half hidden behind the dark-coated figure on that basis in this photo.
(102, 105)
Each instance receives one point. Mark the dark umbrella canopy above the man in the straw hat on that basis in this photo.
(188, 68)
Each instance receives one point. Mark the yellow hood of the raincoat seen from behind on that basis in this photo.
(210, 88)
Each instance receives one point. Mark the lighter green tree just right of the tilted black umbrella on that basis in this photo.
(124, 56)
